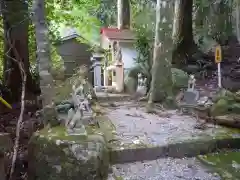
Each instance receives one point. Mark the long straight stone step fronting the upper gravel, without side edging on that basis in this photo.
(177, 150)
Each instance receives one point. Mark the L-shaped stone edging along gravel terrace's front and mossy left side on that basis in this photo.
(175, 150)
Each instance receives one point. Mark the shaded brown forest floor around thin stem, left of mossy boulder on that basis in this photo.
(8, 123)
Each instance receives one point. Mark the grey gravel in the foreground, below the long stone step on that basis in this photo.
(162, 169)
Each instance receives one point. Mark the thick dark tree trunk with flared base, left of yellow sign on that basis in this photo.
(183, 32)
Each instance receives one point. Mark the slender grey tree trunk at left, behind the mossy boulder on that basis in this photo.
(44, 66)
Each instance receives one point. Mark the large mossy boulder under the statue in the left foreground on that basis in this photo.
(54, 155)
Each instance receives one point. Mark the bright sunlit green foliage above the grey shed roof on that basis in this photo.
(79, 14)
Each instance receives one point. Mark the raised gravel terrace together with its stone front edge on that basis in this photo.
(133, 135)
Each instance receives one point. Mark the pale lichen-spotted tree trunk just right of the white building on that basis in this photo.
(161, 84)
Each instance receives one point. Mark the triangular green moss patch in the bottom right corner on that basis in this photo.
(227, 164)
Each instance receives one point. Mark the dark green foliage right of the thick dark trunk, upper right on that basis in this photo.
(213, 19)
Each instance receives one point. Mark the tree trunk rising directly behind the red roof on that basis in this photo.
(123, 14)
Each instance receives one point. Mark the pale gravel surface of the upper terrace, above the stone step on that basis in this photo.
(134, 125)
